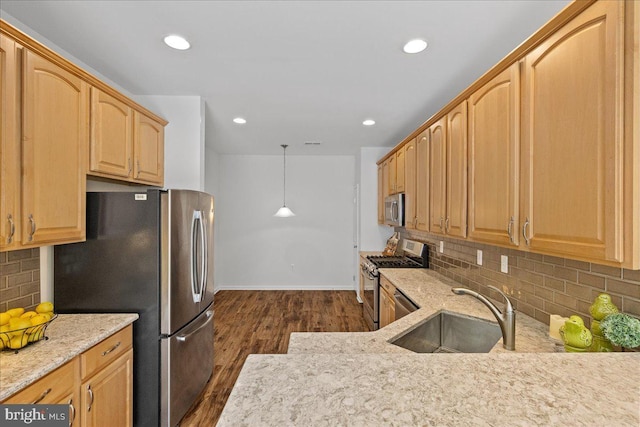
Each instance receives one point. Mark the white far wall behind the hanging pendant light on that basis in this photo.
(312, 250)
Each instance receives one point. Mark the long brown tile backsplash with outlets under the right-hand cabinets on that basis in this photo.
(538, 285)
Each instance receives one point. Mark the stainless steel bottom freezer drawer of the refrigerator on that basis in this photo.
(187, 365)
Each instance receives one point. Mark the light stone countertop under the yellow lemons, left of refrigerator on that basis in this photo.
(69, 335)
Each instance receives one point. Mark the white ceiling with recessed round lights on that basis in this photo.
(296, 70)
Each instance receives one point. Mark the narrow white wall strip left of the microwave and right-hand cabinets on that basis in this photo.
(373, 237)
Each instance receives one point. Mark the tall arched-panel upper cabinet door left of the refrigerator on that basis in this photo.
(54, 137)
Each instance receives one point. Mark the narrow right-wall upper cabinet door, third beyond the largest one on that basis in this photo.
(438, 169)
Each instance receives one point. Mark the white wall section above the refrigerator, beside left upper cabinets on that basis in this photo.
(184, 160)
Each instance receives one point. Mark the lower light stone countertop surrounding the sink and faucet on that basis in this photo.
(432, 293)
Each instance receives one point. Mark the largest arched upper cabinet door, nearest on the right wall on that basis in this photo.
(572, 141)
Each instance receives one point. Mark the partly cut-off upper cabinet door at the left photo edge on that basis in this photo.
(9, 145)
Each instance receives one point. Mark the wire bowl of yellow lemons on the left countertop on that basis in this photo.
(19, 328)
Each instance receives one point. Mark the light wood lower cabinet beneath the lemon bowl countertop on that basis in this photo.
(97, 385)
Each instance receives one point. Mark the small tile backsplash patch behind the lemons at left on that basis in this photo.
(19, 279)
